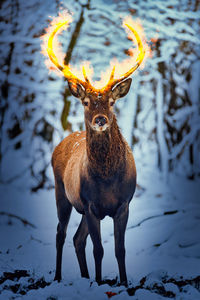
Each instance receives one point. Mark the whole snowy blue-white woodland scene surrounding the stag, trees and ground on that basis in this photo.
(161, 112)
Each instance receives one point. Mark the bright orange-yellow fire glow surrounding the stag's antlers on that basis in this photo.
(51, 49)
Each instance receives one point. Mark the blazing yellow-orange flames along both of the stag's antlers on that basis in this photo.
(119, 70)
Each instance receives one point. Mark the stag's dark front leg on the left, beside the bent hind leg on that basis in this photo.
(94, 231)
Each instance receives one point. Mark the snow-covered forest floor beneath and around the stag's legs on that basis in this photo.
(162, 245)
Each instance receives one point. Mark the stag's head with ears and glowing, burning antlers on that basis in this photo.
(98, 103)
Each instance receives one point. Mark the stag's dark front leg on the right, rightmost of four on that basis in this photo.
(120, 222)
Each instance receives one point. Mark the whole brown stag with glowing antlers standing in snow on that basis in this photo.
(94, 170)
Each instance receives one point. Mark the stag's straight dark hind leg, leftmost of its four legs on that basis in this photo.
(64, 209)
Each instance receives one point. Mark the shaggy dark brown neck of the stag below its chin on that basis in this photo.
(105, 150)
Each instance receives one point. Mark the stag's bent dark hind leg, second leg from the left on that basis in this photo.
(80, 243)
